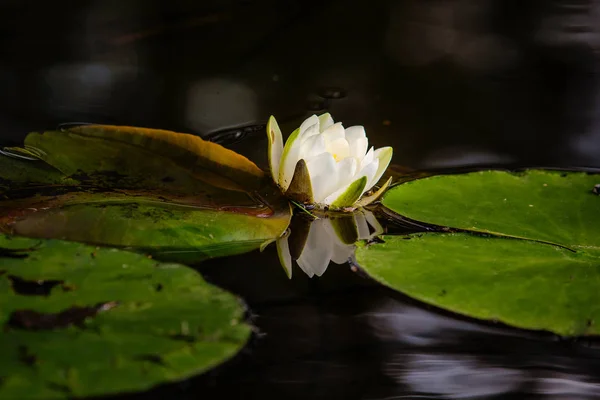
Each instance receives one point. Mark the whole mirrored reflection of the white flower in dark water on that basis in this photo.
(330, 237)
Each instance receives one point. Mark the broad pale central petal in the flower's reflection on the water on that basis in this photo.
(317, 250)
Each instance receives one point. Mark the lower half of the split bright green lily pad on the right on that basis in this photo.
(518, 282)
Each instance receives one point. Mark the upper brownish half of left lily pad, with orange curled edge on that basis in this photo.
(140, 157)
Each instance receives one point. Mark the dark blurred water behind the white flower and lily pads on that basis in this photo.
(444, 82)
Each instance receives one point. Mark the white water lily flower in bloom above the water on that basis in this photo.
(326, 165)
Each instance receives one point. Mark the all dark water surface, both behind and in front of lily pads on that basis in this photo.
(446, 83)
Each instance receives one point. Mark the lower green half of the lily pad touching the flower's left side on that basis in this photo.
(170, 231)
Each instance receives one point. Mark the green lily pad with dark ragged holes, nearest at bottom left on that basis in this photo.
(84, 321)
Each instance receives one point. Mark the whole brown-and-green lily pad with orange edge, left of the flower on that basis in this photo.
(173, 195)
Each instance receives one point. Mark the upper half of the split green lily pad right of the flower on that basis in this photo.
(549, 206)
